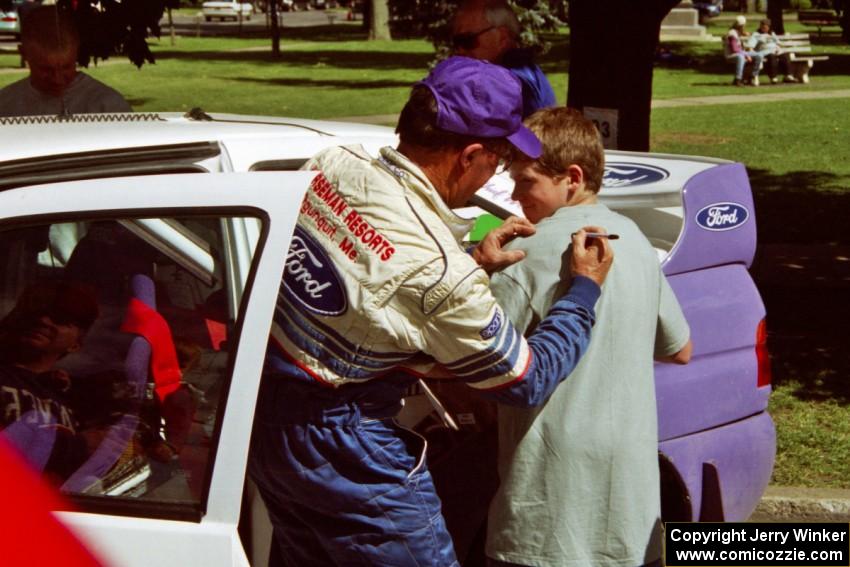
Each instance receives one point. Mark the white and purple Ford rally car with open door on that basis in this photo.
(190, 217)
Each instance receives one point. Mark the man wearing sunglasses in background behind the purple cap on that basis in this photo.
(489, 30)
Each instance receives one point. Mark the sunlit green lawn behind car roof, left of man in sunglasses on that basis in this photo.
(313, 78)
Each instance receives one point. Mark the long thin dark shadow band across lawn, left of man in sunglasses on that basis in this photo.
(374, 60)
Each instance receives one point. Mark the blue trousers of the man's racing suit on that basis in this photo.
(374, 501)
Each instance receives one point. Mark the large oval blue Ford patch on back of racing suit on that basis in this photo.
(311, 278)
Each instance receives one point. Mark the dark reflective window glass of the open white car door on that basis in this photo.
(116, 344)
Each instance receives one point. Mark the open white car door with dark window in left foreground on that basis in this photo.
(169, 283)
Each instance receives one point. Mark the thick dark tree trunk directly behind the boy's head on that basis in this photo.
(612, 51)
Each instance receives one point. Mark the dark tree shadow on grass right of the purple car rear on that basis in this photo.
(802, 270)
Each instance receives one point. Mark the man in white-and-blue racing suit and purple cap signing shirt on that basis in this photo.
(376, 287)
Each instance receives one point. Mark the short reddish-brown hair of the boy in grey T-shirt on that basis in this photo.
(568, 139)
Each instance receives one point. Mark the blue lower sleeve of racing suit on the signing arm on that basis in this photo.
(556, 346)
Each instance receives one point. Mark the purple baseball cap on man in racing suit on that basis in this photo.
(480, 99)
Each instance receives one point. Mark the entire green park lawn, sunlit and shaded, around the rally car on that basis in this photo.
(795, 152)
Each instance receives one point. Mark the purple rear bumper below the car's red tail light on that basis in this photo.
(742, 454)
